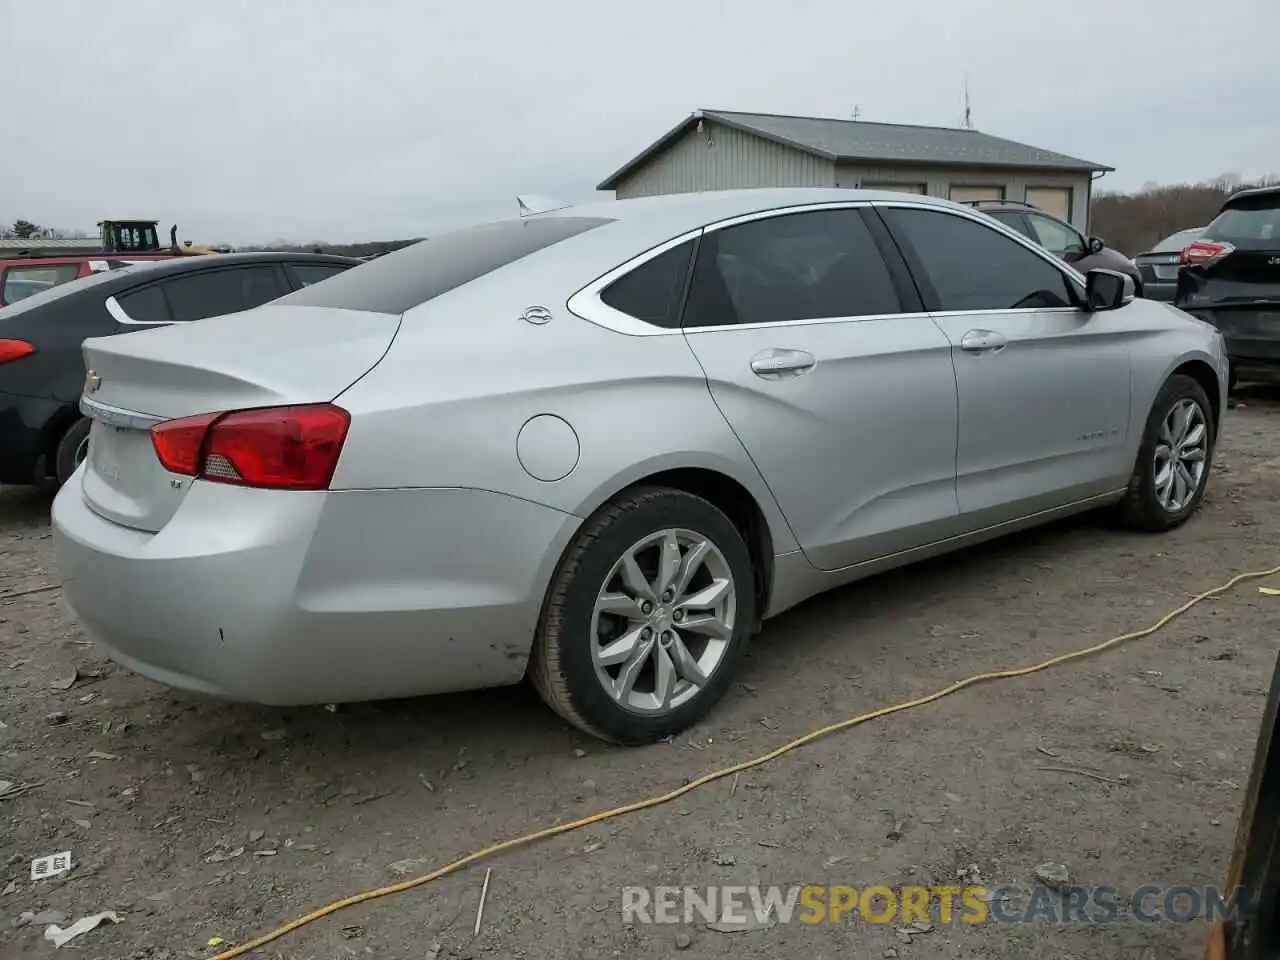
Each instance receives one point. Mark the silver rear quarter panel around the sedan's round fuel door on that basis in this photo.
(465, 374)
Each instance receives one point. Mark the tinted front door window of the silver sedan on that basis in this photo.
(972, 267)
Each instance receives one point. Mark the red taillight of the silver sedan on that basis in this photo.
(281, 449)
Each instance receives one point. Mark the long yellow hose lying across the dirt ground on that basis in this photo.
(730, 771)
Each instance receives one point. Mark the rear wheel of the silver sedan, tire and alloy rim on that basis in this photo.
(648, 618)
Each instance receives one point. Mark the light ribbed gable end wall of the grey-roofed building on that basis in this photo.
(726, 159)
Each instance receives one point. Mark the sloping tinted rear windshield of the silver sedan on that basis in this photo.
(401, 281)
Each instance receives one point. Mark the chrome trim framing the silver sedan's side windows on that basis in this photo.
(588, 305)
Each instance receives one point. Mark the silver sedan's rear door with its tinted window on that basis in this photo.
(838, 385)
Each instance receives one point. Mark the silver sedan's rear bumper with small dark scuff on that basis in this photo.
(299, 598)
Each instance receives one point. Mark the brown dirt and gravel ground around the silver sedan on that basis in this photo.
(195, 820)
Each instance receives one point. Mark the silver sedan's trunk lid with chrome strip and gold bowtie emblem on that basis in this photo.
(269, 356)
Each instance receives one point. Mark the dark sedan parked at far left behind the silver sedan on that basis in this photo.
(43, 435)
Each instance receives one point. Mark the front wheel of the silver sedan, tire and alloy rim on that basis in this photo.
(1174, 460)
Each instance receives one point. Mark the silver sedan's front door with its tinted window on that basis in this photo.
(1044, 386)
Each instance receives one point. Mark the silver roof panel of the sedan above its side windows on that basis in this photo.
(687, 212)
